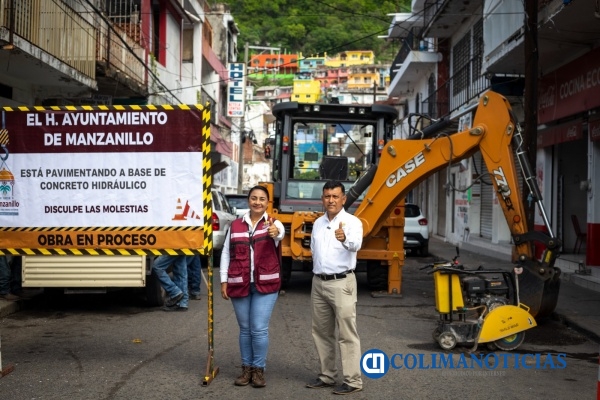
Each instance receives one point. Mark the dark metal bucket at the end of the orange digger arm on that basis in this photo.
(540, 294)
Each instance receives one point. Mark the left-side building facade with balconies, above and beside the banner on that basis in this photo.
(120, 52)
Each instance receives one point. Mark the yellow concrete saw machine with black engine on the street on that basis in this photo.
(478, 306)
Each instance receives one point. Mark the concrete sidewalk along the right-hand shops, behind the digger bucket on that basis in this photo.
(579, 296)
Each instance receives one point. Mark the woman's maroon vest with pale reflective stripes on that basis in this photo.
(267, 259)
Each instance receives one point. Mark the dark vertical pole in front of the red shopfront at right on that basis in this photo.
(531, 92)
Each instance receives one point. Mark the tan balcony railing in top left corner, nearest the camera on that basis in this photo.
(55, 28)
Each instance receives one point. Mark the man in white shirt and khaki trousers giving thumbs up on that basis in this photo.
(336, 238)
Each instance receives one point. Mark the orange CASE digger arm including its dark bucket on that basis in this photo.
(497, 135)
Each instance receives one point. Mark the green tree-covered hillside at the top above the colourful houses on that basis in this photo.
(316, 27)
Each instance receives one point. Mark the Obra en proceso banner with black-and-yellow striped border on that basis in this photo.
(104, 178)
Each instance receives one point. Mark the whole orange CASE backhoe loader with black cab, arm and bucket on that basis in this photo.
(354, 144)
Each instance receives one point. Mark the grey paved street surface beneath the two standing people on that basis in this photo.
(113, 347)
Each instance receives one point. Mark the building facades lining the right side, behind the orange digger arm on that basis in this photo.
(451, 52)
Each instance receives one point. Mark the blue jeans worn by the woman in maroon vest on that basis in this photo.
(253, 313)
